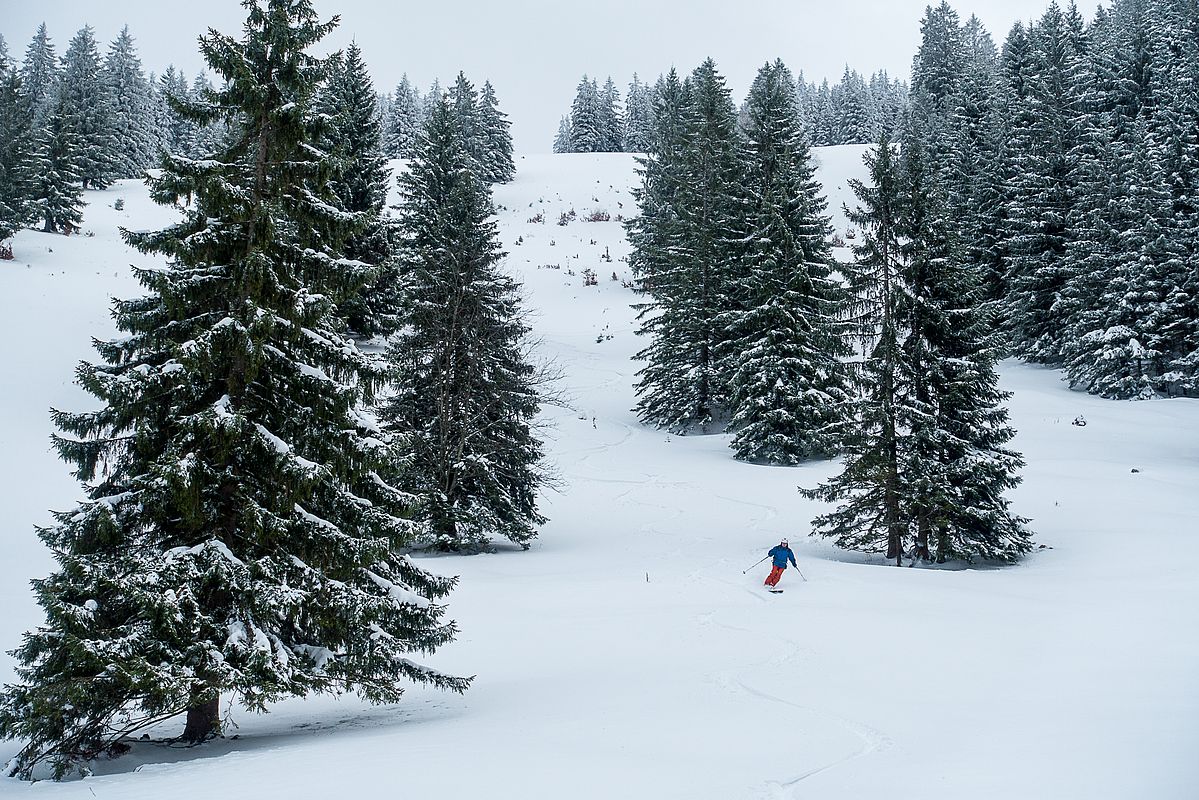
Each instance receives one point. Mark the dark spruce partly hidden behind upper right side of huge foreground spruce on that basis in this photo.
(353, 137)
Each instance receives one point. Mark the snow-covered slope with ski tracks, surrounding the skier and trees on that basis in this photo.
(626, 654)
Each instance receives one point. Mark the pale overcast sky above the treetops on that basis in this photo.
(535, 51)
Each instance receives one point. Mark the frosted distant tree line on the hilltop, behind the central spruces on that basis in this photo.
(854, 111)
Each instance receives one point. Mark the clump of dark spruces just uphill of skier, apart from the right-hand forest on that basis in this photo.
(754, 332)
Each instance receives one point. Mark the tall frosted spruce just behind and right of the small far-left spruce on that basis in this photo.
(88, 110)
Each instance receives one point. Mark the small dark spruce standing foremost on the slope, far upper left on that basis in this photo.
(56, 191)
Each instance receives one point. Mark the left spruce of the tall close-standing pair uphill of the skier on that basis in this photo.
(686, 255)
